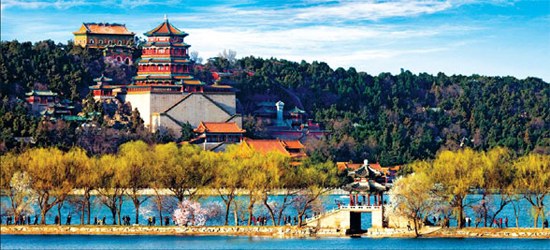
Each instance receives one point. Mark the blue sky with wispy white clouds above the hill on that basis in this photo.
(487, 37)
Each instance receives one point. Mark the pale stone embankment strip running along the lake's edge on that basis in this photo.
(273, 231)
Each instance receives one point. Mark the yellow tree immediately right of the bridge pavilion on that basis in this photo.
(413, 197)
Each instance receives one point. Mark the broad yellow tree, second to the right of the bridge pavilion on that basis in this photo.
(457, 173)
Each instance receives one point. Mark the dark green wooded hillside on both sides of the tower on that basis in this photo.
(388, 118)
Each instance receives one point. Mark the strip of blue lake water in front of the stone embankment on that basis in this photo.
(241, 242)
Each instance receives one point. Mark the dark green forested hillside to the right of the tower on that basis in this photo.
(395, 119)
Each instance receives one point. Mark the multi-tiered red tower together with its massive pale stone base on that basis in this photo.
(166, 94)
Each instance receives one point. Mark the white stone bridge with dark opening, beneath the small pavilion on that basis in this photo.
(347, 218)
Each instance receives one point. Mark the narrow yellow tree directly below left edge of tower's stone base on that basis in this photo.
(135, 159)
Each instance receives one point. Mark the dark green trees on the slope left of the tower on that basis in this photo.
(67, 70)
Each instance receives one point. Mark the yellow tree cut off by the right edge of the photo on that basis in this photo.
(533, 179)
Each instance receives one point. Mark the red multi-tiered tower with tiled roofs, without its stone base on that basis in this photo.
(164, 63)
